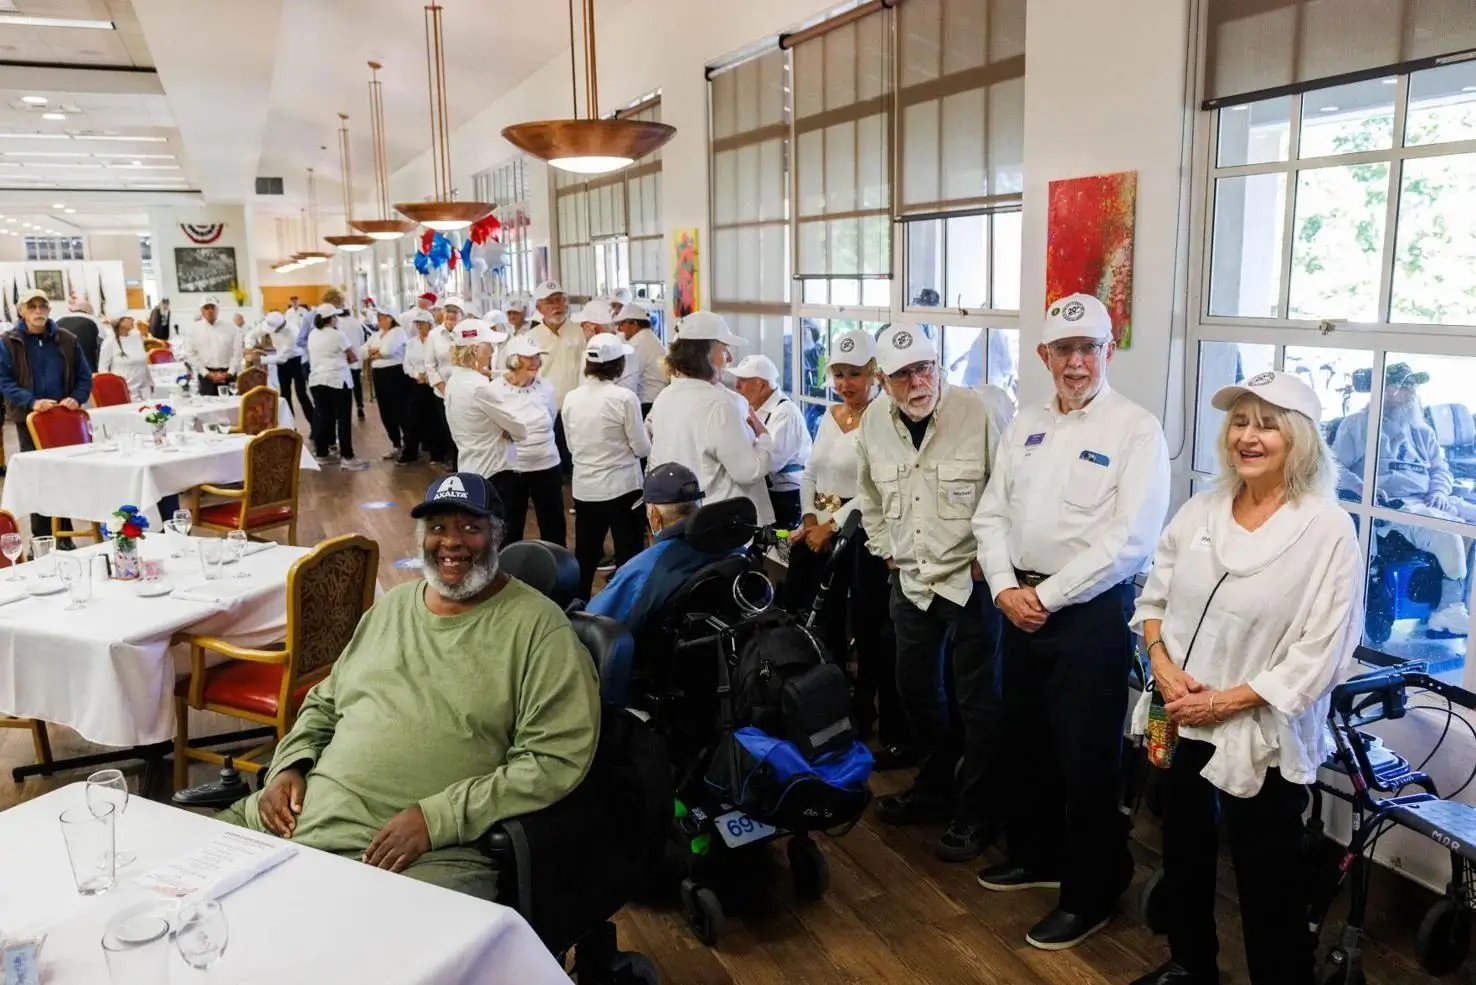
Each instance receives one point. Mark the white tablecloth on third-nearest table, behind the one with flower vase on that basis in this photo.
(88, 482)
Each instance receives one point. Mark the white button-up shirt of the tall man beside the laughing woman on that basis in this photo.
(1080, 497)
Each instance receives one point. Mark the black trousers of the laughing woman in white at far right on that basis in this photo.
(1266, 847)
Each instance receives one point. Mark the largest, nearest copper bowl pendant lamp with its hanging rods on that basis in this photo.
(588, 145)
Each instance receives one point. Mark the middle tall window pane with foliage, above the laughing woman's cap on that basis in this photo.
(1338, 243)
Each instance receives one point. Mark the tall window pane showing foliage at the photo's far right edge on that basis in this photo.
(1435, 256)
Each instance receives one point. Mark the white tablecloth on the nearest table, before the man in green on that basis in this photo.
(314, 919)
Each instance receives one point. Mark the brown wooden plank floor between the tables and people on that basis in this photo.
(894, 913)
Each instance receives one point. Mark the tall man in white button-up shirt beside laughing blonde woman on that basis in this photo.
(1071, 518)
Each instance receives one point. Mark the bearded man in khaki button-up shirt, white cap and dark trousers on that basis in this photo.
(925, 461)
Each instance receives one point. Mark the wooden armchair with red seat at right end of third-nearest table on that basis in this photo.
(268, 498)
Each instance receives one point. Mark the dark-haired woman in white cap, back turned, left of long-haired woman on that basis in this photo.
(607, 442)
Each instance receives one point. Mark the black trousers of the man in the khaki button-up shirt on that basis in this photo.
(968, 640)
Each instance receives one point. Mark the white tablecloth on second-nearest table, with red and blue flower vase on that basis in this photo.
(107, 671)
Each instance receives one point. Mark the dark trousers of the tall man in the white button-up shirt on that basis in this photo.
(1065, 702)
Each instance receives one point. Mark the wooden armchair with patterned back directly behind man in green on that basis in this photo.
(327, 593)
